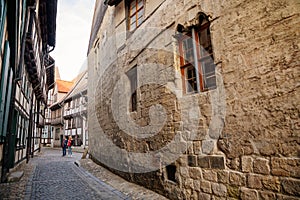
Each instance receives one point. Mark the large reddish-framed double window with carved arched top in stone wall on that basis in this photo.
(196, 58)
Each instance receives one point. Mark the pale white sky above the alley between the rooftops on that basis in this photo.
(73, 26)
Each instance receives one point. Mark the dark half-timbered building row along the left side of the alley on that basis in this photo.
(27, 36)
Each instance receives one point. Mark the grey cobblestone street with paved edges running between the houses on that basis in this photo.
(51, 176)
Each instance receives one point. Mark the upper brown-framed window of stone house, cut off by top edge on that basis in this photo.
(135, 13)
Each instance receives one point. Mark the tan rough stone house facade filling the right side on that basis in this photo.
(197, 99)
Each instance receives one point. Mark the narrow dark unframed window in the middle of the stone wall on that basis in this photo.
(132, 75)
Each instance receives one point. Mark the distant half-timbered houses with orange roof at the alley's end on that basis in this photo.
(69, 111)
